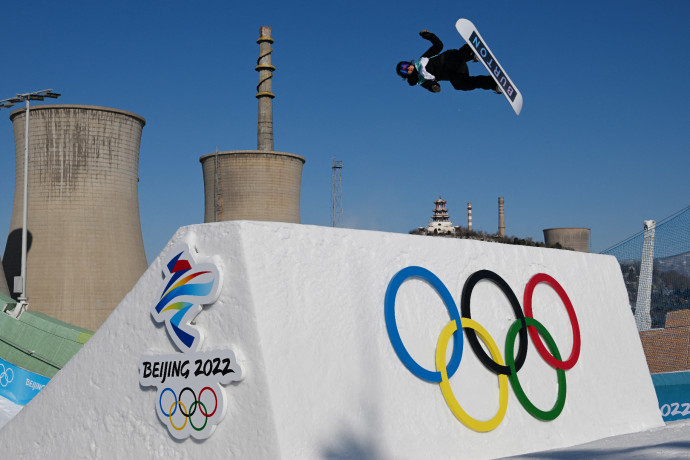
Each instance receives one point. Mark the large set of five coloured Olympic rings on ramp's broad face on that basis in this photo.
(506, 370)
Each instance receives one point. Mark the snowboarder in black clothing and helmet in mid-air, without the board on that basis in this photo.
(450, 65)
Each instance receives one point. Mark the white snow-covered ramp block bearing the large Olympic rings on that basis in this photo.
(303, 309)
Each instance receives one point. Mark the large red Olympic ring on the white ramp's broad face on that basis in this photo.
(548, 357)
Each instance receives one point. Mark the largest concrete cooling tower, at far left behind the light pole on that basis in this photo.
(85, 248)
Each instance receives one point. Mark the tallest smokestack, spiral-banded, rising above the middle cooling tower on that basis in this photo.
(264, 90)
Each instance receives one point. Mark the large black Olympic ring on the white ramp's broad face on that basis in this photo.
(472, 335)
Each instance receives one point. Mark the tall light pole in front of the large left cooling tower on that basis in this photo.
(6, 103)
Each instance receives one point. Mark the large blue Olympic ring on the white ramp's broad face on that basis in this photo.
(392, 327)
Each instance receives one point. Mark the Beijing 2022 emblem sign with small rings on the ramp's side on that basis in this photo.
(190, 400)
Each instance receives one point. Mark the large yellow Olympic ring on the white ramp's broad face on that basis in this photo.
(459, 412)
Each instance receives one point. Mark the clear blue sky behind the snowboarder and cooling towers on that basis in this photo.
(602, 141)
